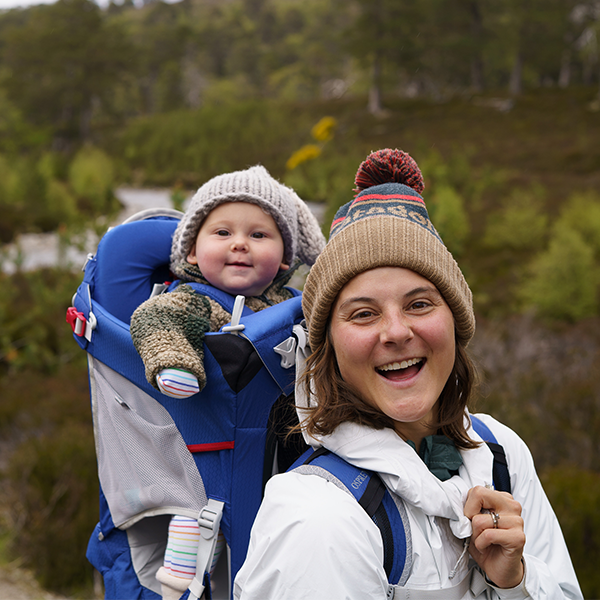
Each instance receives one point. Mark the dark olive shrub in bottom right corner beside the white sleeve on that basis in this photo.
(575, 496)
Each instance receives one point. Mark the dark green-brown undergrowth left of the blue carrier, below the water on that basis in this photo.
(48, 483)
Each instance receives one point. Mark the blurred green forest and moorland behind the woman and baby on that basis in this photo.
(499, 104)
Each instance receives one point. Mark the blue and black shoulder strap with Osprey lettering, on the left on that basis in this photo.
(370, 492)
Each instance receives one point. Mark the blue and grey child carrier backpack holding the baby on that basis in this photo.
(207, 456)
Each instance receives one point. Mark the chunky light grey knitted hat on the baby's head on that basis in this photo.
(302, 236)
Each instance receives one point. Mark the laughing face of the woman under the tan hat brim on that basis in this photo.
(393, 336)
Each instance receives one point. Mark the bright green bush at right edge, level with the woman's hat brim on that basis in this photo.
(562, 282)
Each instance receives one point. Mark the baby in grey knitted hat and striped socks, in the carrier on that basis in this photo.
(245, 234)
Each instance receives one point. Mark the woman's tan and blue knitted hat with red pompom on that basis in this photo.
(386, 225)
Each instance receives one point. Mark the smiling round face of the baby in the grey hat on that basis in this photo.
(239, 249)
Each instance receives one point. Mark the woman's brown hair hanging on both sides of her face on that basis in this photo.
(338, 402)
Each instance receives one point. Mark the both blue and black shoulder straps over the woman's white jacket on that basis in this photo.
(390, 517)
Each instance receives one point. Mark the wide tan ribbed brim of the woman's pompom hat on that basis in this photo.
(384, 241)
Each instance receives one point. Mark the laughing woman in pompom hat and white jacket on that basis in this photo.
(389, 317)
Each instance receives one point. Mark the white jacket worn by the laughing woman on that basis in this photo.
(313, 541)
